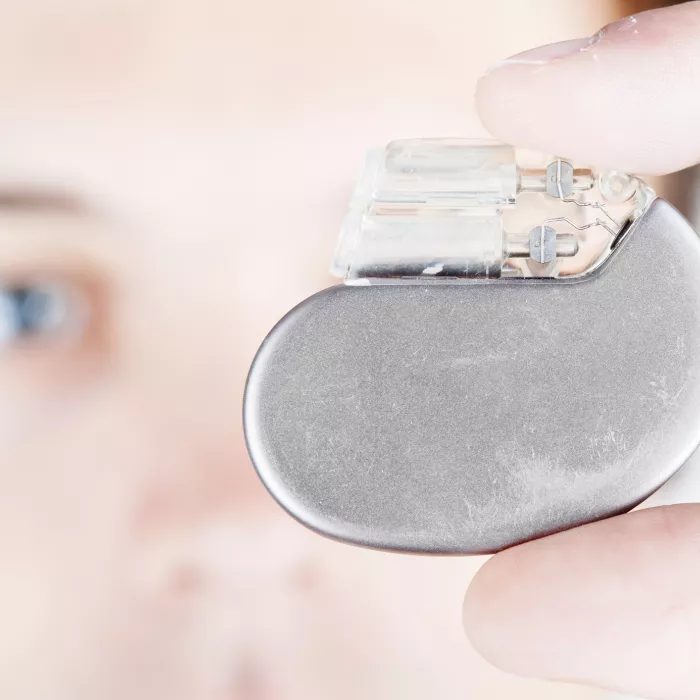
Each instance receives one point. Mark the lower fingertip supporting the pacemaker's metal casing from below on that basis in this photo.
(615, 604)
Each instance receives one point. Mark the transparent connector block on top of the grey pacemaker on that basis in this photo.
(451, 210)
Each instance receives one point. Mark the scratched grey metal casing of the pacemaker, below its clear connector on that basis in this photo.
(464, 419)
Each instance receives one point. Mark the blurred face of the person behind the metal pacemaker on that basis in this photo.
(171, 181)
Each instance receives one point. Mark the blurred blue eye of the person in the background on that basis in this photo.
(40, 312)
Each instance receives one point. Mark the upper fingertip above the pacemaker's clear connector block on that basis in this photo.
(628, 98)
